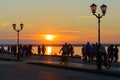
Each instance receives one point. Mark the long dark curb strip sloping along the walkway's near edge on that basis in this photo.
(102, 72)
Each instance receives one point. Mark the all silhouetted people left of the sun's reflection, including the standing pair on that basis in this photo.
(24, 50)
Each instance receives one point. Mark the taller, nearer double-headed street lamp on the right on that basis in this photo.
(103, 10)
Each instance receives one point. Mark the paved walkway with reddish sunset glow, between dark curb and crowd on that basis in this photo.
(78, 64)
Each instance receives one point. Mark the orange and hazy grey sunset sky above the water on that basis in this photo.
(66, 20)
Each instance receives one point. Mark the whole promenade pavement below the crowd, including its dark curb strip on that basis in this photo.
(74, 64)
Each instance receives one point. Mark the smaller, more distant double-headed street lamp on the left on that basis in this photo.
(18, 30)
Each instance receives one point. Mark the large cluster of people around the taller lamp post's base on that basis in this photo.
(96, 51)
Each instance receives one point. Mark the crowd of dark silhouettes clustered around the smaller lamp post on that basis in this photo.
(24, 50)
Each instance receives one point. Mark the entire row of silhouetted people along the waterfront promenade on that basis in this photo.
(90, 52)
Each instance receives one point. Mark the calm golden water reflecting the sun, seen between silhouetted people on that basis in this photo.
(55, 51)
